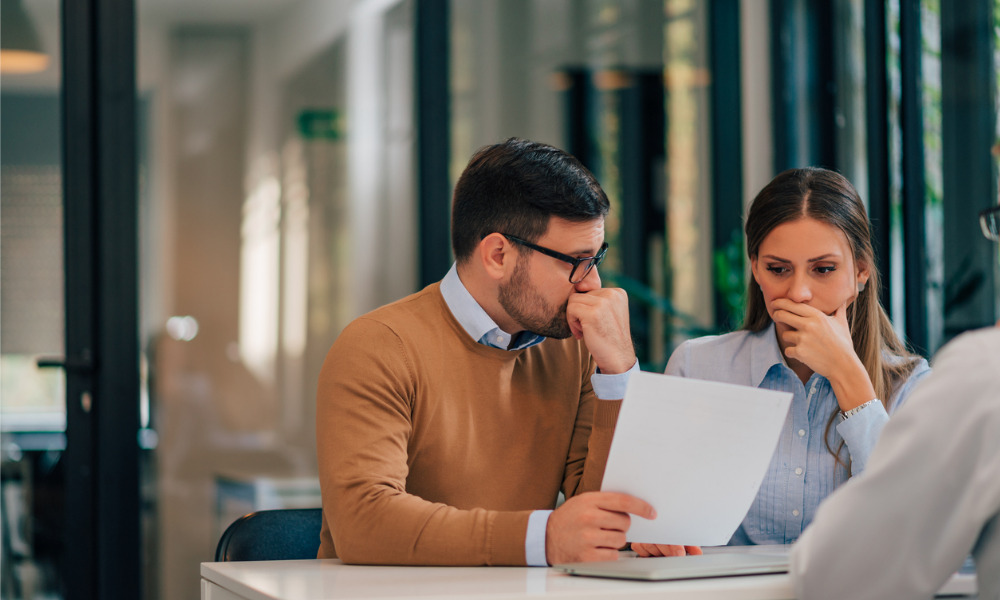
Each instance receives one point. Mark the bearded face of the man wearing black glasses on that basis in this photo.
(537, 292)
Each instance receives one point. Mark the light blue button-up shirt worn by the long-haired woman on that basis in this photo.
(802, 471)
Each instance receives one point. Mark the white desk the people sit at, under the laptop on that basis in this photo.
(332, 580)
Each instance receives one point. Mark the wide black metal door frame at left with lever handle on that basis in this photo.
(102, 536)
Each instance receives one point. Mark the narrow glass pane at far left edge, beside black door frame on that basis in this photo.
(32, 399)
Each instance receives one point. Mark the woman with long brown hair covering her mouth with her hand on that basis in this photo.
(814, 327)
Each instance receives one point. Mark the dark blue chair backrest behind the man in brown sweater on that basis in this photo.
(284, 534)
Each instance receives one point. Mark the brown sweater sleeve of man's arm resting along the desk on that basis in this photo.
(363, 430)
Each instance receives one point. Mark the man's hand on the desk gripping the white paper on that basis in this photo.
(591, 526)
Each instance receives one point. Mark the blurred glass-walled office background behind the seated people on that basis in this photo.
(197, 196)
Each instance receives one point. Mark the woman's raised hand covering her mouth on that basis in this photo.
(823, 343)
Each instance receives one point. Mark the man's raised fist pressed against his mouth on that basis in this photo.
(600, 318)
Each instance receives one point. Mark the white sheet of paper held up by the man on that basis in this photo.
(697, 451)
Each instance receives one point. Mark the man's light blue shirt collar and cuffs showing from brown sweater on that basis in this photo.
(484, 330)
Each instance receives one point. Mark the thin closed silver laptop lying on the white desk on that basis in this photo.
(665, 568)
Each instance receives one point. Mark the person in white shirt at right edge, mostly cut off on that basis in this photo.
(930, 494)
